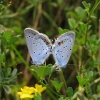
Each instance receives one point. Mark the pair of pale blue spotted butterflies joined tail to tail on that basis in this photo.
(40, 47)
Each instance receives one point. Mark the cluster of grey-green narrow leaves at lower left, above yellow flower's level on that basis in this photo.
(7, 79)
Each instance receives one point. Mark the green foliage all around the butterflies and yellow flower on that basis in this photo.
(82, 17)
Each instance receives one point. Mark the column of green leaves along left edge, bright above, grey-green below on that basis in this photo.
(7, 75)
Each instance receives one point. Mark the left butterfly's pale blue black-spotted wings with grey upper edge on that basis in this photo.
(39, 45)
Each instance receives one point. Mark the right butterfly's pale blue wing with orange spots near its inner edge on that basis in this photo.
(62, 48)
